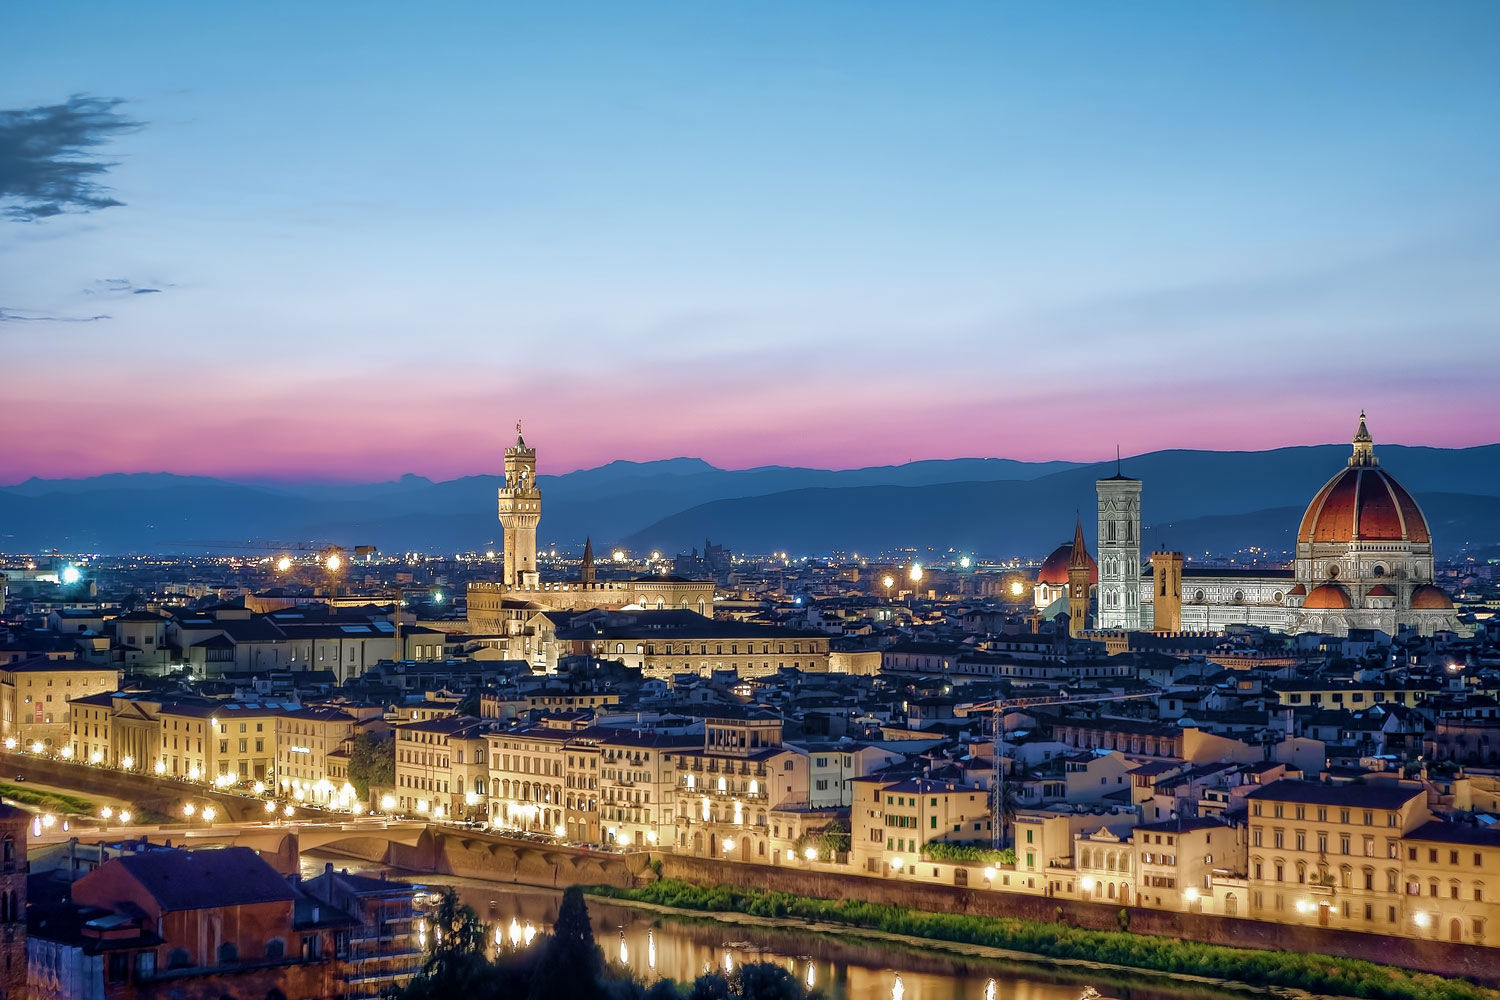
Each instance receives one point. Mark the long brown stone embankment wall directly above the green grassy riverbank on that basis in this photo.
(1471, 962)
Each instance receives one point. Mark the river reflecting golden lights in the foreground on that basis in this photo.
(652, 947)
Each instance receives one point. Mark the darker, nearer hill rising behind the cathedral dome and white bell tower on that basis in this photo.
(1235, 494)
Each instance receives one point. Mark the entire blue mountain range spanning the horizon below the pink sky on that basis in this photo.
(1202, 503)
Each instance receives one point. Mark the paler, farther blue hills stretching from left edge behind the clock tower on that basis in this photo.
(172, 513)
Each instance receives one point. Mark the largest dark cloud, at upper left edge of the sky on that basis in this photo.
(44, 157)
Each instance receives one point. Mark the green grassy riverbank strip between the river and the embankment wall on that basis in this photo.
(1006, 939)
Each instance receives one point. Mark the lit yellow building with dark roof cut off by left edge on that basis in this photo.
(35, 698)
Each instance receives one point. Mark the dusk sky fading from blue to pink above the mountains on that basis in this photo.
(350, 242)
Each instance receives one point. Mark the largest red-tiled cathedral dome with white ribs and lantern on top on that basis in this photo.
(1363, 503)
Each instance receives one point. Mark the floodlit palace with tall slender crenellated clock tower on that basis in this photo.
(506, 605)
